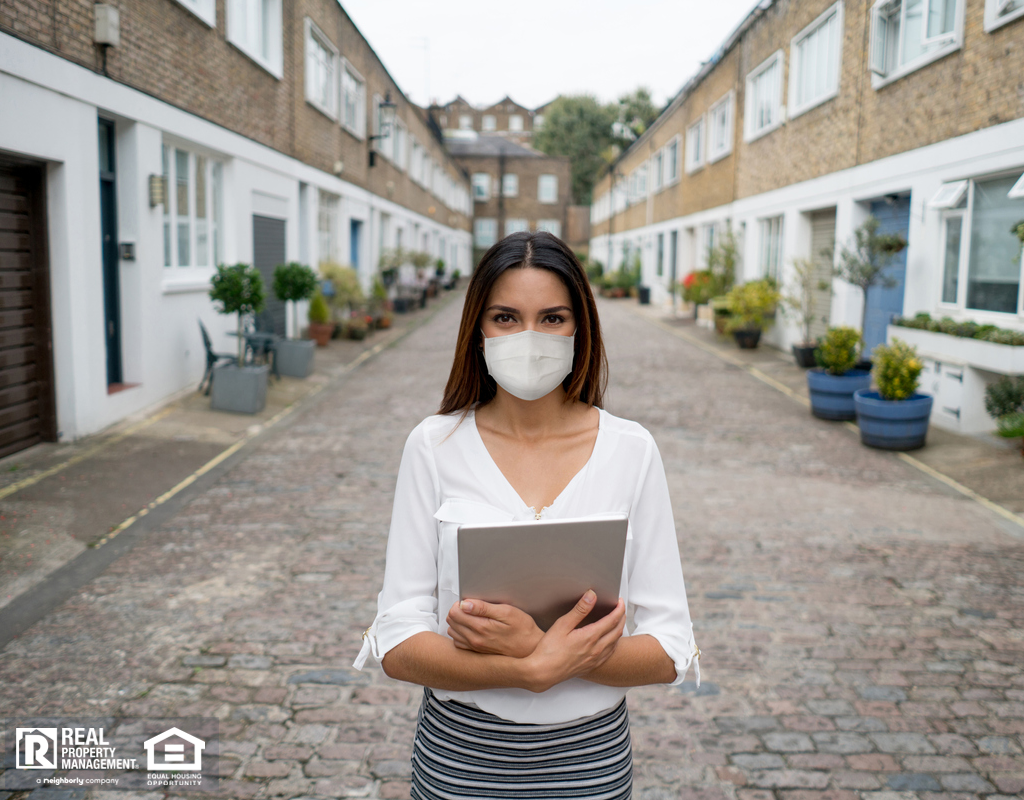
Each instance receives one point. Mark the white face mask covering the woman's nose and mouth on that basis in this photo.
(529, 365)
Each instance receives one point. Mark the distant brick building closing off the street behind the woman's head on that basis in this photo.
(516, 188)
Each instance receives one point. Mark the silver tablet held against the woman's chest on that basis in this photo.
(544, 568)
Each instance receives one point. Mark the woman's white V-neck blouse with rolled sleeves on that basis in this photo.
(448, 479)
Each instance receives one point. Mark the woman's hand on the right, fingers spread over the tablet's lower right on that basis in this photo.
(567, 652)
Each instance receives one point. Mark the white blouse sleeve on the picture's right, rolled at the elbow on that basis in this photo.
(657, 592)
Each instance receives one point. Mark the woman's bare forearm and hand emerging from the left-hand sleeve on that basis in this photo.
(565, 652)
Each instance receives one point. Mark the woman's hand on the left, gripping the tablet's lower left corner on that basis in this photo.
(494, 629)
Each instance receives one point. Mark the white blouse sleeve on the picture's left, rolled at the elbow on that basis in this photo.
(408, 603)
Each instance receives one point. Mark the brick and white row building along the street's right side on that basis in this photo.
(815, 115)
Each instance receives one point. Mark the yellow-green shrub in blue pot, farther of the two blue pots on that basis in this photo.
(832, 385)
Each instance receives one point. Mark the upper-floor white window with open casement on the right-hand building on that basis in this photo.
(909, 34)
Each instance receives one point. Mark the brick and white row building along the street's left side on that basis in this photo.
(260, 116)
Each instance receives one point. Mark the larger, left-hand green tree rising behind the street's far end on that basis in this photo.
(580, 128)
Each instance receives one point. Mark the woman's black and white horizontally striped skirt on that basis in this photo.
(461, 752)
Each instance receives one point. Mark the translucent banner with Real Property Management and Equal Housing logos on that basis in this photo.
(112, 753)
